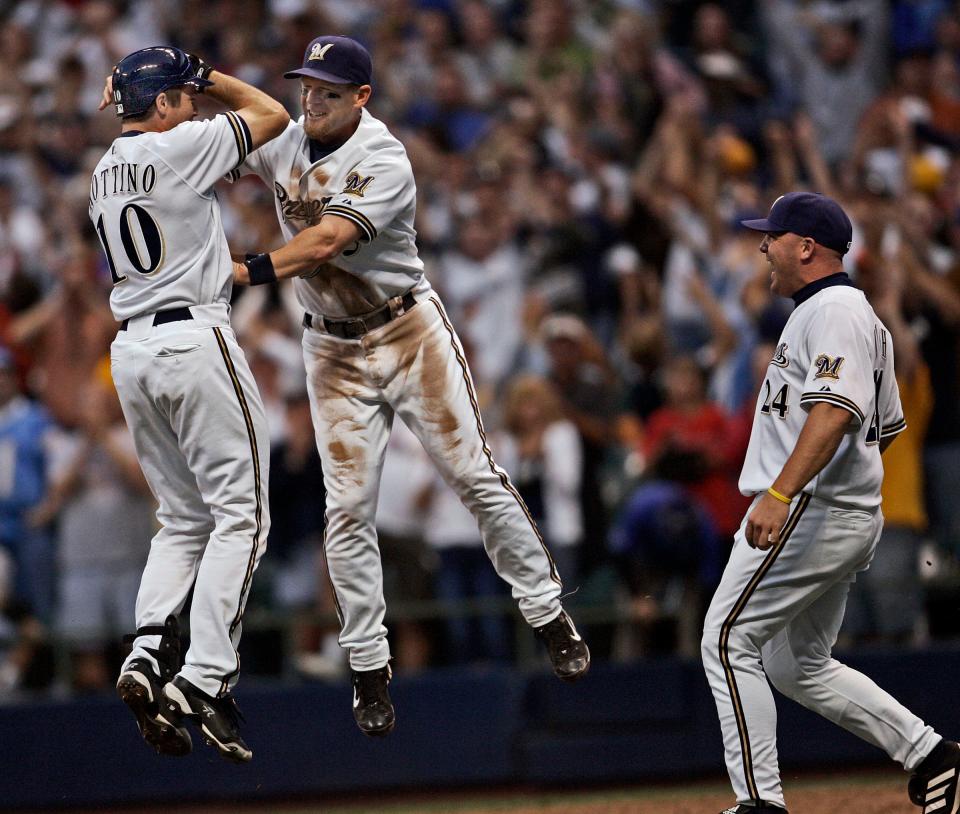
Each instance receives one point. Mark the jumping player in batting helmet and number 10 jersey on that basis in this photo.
(191, 403)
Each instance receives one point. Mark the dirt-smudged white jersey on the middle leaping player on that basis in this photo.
(367, 180)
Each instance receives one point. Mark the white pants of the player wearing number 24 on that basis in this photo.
(776, 615)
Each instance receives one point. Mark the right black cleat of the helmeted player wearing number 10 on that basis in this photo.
(217, 718)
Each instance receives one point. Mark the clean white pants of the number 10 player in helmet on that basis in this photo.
(200, 433)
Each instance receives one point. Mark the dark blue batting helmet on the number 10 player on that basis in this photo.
(140, 77)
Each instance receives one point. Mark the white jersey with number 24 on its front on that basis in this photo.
(833, 349)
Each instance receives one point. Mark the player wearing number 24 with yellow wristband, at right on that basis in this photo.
(827, 410)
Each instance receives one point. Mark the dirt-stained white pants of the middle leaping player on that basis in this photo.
(415, 367)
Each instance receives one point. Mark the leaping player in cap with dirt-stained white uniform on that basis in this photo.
(377, 342)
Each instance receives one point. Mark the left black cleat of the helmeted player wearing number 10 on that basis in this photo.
(140, 687)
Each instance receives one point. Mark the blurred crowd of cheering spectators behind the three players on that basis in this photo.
(582, 167)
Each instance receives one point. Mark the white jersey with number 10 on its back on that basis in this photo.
(153, 205)
